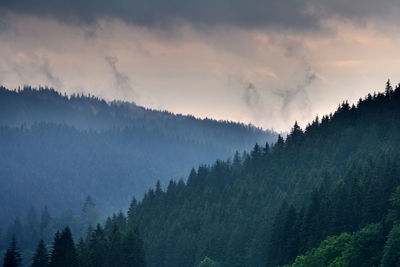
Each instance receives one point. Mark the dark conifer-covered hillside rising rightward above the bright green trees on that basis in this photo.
(266, 207)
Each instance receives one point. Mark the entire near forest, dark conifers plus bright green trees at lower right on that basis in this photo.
(326, 195)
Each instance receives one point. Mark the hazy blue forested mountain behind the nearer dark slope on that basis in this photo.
(57, 149)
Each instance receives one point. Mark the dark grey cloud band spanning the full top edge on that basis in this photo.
(287, 14)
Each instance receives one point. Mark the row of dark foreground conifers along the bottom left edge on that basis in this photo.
(113, 245)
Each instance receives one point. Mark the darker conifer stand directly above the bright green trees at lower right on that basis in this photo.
(360, 198)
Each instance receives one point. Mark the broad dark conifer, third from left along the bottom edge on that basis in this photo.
(64, 253)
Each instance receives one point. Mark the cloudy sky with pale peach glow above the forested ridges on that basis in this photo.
(265, 62)
